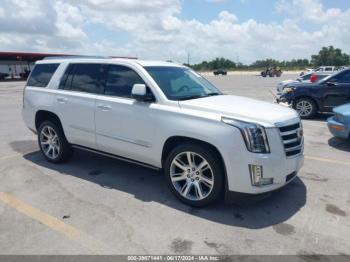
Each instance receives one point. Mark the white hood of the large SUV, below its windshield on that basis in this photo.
(242, 108)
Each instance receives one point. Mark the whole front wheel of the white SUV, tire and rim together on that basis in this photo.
(194, 174)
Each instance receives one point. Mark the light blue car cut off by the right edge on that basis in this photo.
(339, 124)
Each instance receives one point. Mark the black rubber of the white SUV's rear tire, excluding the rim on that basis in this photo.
(66, 149)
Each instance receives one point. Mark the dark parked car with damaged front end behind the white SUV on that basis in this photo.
(322, 96)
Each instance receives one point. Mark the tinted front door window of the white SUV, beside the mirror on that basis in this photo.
(120, 81)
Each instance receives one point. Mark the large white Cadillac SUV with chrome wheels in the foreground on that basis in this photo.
(164, 116)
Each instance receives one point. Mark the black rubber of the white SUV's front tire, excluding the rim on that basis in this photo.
(215, 164)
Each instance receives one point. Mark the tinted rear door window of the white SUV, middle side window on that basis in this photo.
(86, 78)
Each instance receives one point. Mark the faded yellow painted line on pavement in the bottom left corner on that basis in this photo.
(54, 224)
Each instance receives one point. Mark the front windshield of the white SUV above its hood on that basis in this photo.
(180, 83)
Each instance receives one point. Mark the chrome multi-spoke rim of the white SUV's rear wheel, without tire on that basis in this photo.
(49, 142)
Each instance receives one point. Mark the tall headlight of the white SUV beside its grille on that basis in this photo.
(254, 135)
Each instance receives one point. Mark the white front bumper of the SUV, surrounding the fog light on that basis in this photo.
(275, 165)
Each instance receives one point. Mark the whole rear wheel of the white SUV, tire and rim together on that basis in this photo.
(52, 142)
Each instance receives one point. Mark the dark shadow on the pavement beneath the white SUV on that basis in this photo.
(148, 185)
